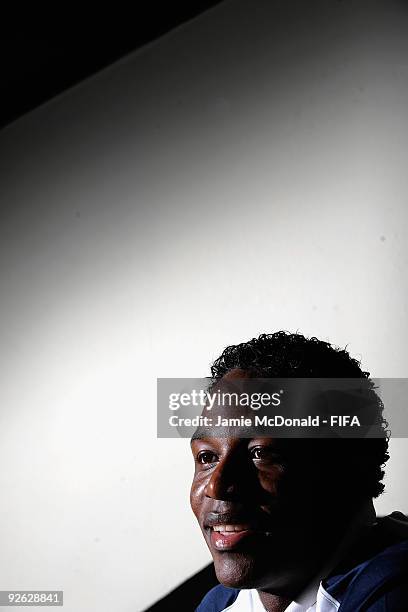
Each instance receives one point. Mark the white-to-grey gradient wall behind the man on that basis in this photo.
(243, 174)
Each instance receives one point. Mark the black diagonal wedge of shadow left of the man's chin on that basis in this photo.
(188, 595)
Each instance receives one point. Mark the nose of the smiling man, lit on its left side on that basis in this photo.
(227, 480)
